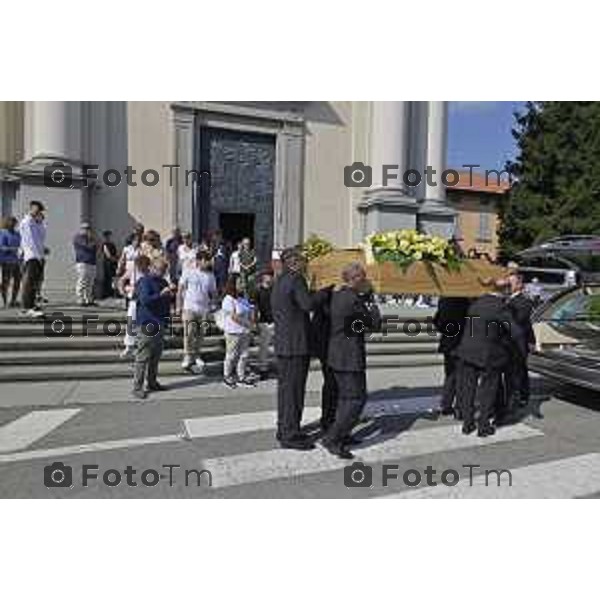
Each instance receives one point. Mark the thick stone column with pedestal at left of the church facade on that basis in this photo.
(53, 134)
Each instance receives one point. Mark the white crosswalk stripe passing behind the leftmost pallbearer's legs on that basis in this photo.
(237, 423)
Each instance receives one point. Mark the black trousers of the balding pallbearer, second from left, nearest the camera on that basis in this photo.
(352, 390)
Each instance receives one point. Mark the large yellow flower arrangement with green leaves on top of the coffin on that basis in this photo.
(407, 246)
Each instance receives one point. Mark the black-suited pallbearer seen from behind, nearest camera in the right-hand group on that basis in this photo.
(485, 351)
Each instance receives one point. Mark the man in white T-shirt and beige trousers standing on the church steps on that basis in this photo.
(197, 288)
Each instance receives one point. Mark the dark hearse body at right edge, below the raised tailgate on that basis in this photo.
(567, 329)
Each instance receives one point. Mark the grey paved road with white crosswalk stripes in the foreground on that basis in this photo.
(205, 429)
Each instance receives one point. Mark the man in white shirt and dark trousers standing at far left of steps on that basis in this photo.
(33, 246)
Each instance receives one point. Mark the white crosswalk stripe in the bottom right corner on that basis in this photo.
(564, 478)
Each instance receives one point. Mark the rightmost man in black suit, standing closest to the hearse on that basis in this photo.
(517, 374)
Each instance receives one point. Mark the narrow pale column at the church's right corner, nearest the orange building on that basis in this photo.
(435, 216)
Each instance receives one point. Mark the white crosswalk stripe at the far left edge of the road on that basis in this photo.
(31, 427)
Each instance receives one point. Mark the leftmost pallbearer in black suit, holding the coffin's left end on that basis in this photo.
(291, 304)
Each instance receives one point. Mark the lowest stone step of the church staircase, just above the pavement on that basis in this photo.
(62, 372)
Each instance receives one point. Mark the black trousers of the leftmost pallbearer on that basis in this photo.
(291, 386)
